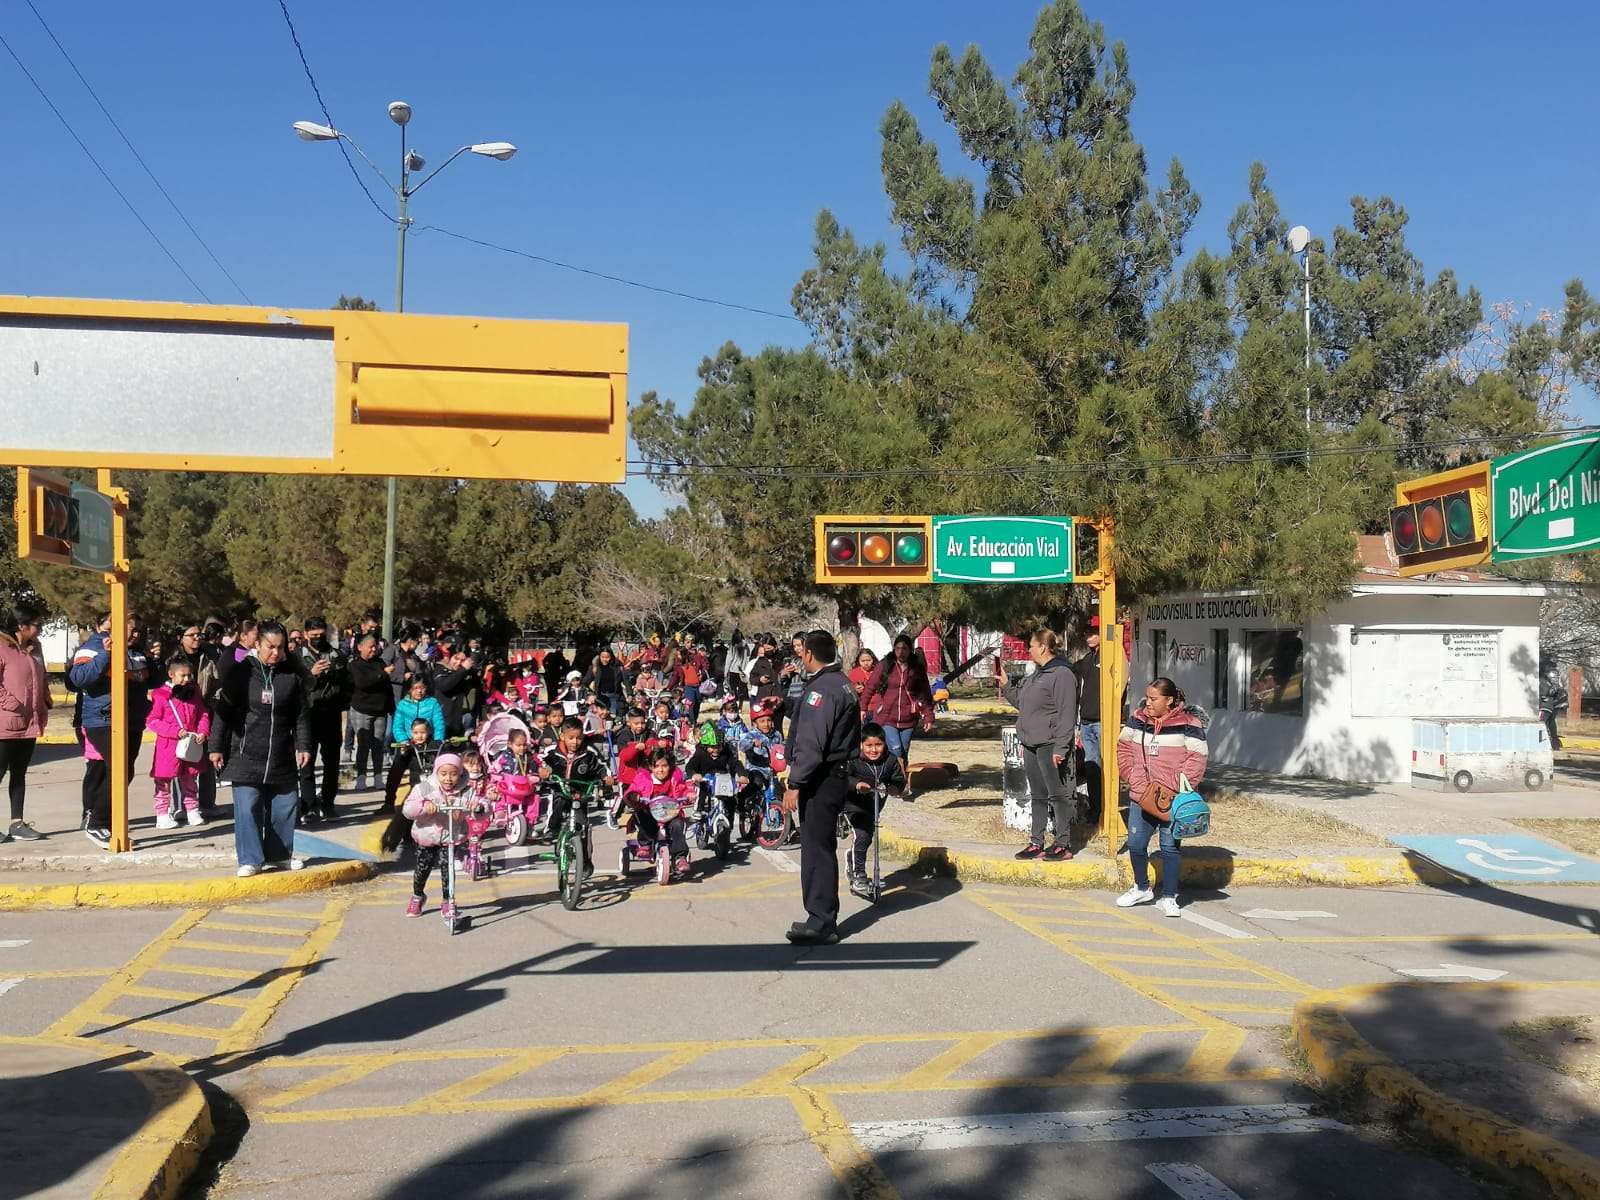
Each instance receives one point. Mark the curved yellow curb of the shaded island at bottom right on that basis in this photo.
(1340, 1057)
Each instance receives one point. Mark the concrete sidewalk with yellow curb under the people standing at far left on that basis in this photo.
(191, 865)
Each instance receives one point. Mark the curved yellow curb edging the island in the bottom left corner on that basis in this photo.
(161, 1158)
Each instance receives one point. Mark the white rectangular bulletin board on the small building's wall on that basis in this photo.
(1425, 673)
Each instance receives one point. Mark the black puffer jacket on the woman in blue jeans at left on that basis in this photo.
(260, 737)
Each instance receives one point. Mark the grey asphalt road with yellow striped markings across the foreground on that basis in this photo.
(668, 1042)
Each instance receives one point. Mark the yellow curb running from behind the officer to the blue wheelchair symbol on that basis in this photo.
(1199, 870)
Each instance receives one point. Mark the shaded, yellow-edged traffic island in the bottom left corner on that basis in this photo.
(54, 1135)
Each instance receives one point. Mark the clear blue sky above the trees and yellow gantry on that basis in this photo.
(694, 145)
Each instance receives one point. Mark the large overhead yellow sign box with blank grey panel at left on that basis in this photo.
(146, 386)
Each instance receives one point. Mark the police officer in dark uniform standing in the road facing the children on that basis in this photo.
(823, 738)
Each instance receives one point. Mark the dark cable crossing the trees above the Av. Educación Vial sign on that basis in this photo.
(681, 470)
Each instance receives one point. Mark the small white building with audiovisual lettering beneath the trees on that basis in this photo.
(1335, 695)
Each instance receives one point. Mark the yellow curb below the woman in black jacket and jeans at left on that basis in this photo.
(186, 894)
